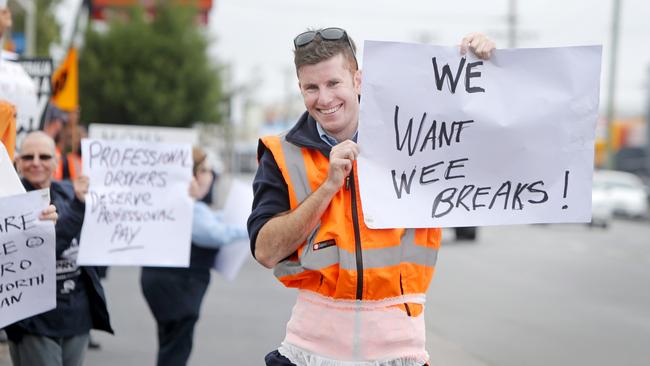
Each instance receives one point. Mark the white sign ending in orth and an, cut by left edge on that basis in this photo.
(27, 258)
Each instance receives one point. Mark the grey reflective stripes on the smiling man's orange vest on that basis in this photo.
(407, 251)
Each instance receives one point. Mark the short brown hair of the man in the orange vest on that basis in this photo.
(320, 50)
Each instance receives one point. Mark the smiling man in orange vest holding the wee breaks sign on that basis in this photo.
(361, 291)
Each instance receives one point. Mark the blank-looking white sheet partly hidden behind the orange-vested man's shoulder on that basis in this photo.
(236, 211)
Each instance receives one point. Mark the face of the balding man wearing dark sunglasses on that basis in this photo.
(37, 159)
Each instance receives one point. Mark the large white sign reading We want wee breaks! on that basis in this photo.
(448, 140)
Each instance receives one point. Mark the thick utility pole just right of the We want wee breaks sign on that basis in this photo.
(611, 92)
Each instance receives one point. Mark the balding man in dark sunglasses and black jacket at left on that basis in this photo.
(59, 337)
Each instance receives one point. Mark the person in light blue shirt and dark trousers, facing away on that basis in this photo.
(174, 295)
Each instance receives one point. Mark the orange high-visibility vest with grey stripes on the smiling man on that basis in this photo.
(343, 258)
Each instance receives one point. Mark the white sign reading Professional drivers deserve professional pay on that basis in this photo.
(138, 208)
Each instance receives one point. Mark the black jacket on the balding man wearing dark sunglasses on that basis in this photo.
(80, 309)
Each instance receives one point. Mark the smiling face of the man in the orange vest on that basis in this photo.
(330, 91)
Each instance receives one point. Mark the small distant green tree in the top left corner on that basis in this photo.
(47, 28)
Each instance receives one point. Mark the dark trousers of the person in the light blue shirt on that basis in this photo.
(174, 296)
